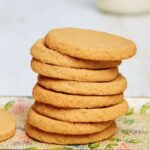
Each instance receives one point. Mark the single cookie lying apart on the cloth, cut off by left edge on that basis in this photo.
(7, 125)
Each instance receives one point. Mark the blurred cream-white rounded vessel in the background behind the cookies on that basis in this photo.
(124, 6)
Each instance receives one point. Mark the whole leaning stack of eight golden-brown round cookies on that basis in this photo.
(79, 92)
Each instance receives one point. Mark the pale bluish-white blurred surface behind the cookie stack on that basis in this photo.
(22, 22)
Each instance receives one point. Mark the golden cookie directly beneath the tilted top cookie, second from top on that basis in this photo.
(49, 56)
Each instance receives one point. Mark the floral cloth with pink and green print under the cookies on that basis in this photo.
(133, 132)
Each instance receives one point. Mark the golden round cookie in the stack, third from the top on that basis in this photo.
(73, 74)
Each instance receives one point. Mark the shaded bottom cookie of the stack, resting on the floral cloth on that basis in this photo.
(70, 139)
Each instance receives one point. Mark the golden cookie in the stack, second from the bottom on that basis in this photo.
(62, 127)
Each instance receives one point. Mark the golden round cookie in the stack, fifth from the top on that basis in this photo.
(43, 95)
